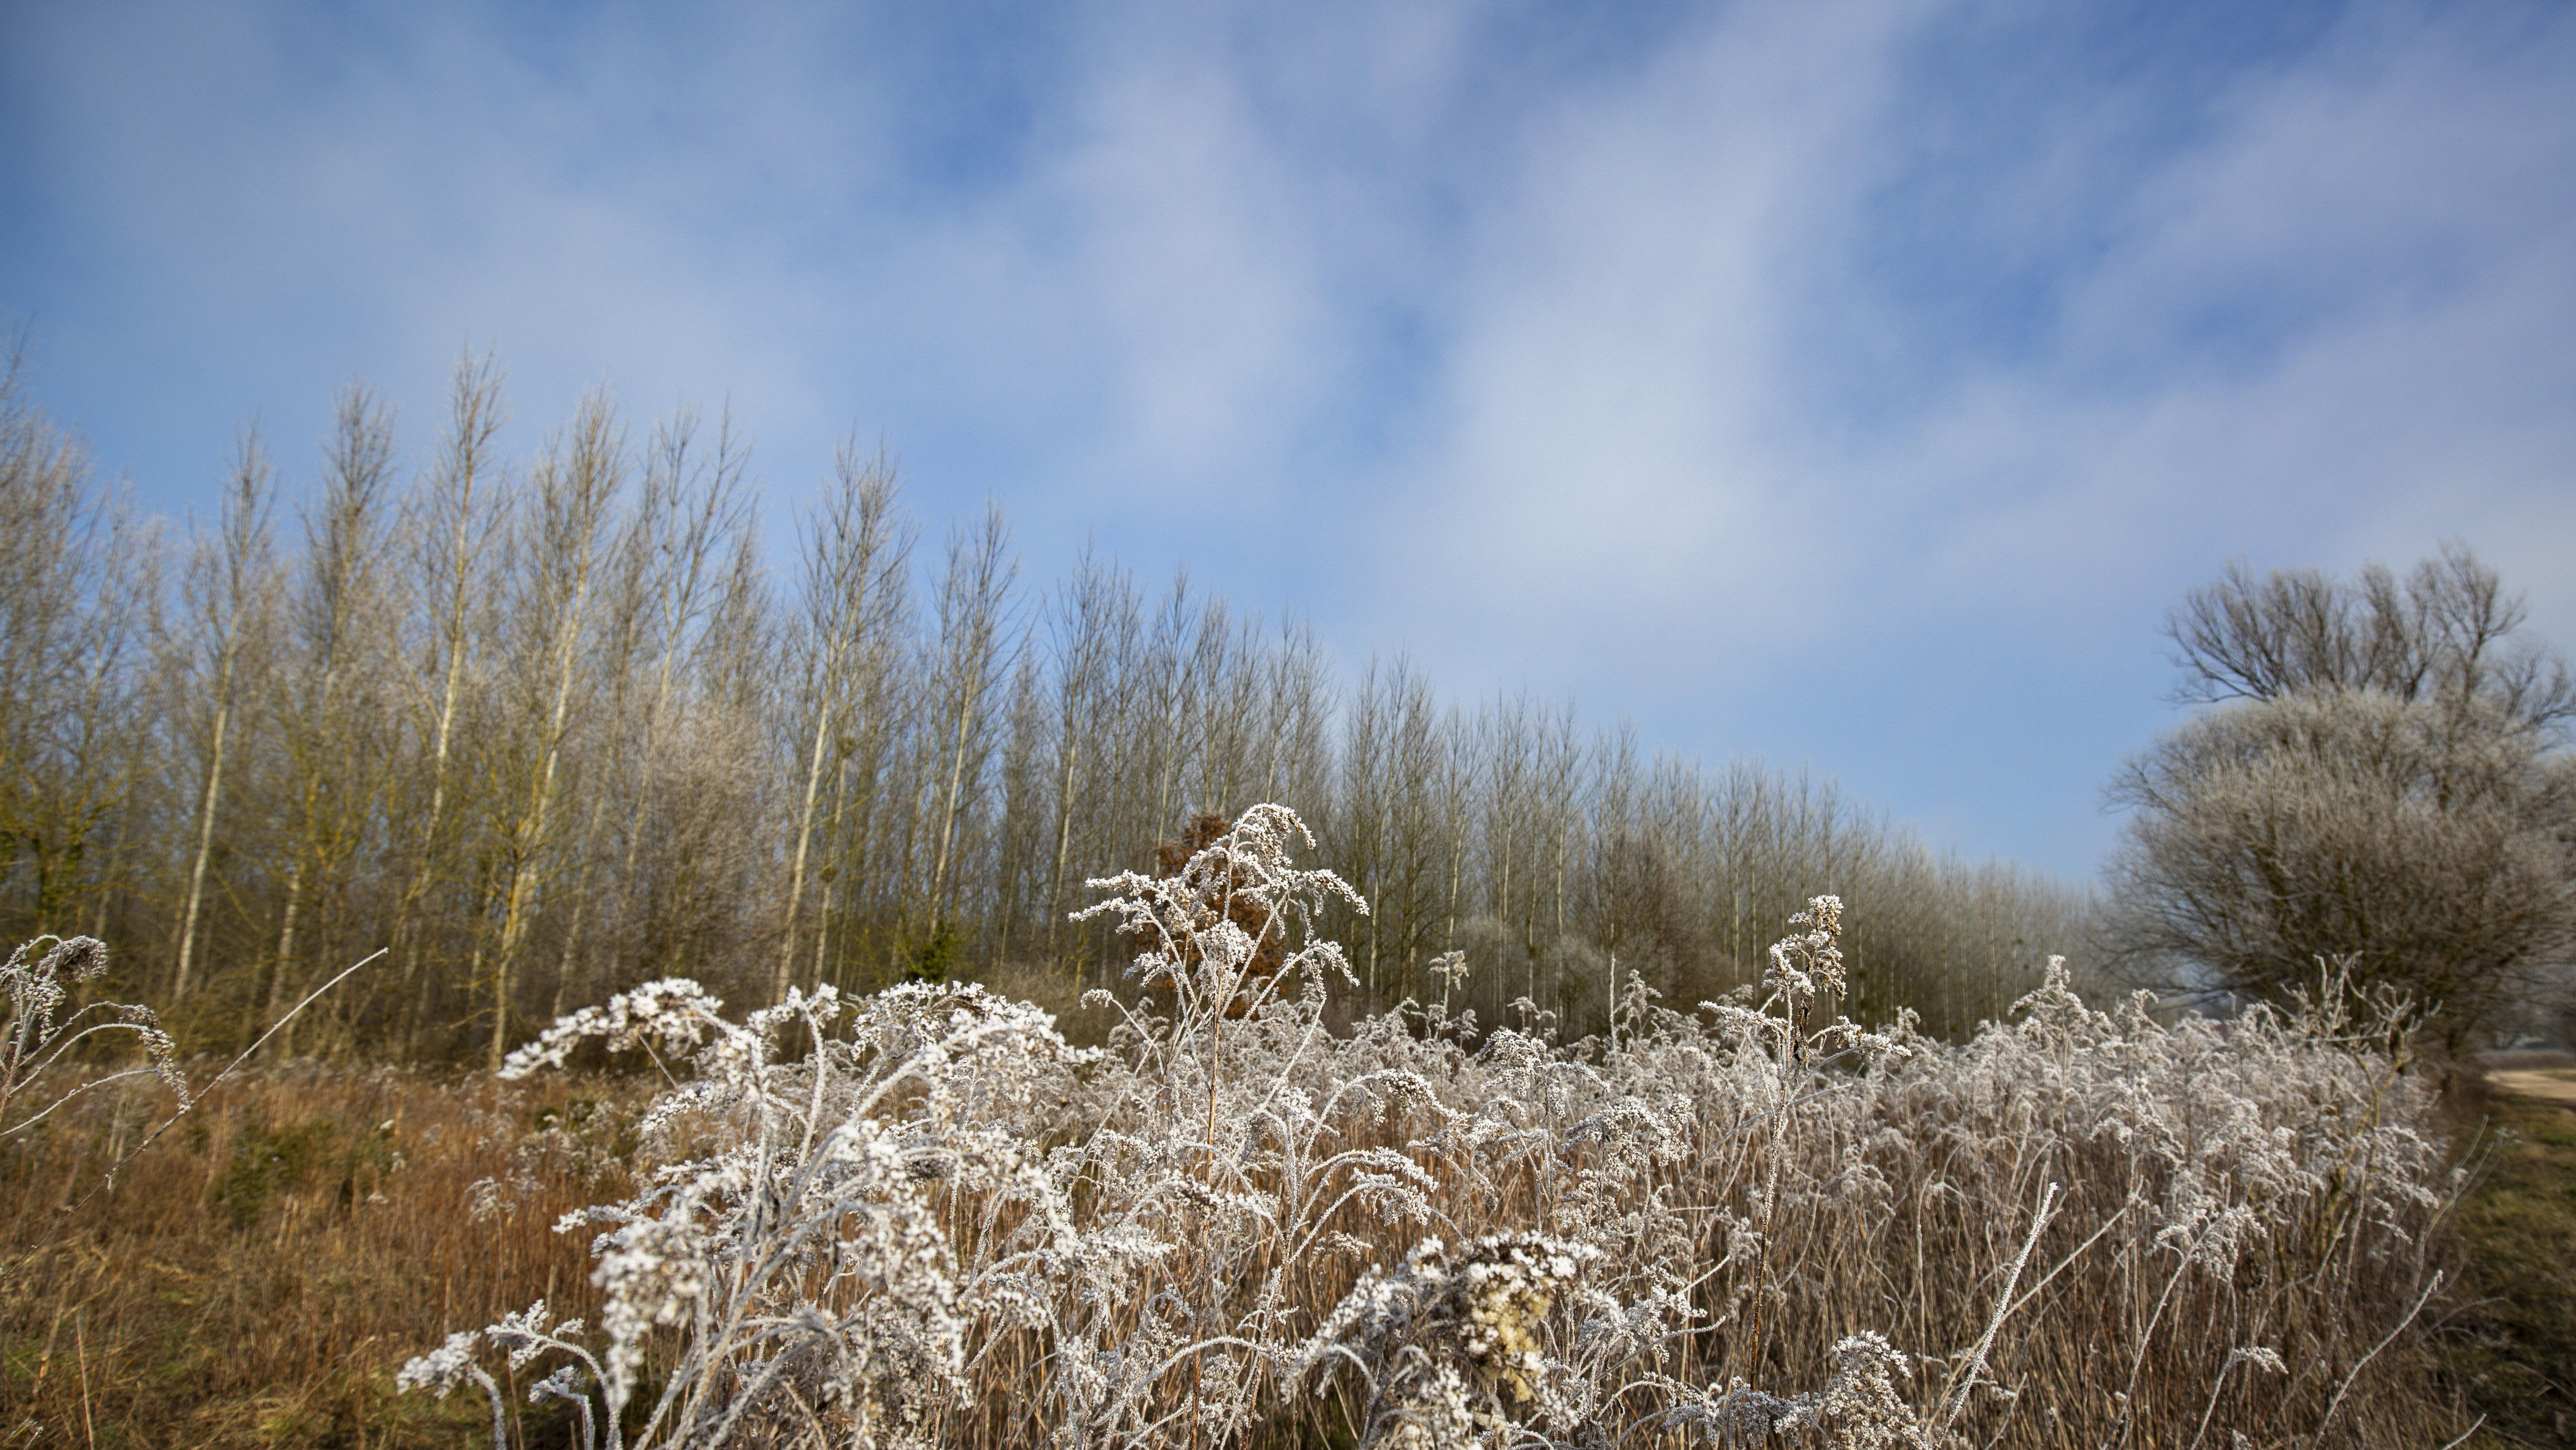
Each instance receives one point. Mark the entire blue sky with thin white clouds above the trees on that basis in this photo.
(1833, 385)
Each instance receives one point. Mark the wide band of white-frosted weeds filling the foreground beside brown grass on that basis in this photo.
(923, 1217)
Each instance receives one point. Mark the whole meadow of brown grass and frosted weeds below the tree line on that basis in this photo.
(926, 1217)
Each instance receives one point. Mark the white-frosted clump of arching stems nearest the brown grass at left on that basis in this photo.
(802, 1258)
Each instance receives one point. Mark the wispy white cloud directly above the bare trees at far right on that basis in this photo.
(2335, 328)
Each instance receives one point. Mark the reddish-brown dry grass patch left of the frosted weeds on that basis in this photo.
(267, 1268)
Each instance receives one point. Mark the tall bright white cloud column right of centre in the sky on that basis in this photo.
(1614, 437)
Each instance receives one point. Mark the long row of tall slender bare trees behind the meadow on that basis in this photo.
(547, 728)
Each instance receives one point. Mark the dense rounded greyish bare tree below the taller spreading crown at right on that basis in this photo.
(2436, 843)
